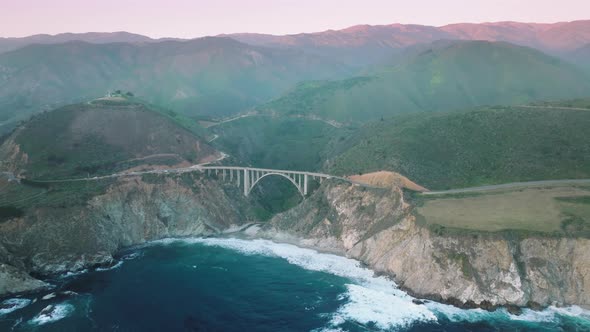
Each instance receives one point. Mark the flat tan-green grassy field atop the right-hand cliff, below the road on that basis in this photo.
(554, 210)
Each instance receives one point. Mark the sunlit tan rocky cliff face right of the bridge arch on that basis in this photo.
(483, 269)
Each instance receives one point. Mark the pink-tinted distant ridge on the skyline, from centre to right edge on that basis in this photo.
(549, 37)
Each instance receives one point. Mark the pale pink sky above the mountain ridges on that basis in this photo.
(196, 18)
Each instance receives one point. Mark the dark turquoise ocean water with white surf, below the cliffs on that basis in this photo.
(251, 285)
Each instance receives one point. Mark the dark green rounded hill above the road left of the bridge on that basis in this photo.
(99, 138)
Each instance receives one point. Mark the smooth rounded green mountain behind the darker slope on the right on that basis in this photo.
(445, 76)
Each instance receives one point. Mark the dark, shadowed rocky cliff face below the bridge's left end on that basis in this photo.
(55, 240)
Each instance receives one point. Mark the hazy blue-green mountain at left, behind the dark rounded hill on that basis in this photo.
(210, 76)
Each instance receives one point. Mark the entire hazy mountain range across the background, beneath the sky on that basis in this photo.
(407, 67)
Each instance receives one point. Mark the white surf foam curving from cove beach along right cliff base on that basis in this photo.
(372, 299)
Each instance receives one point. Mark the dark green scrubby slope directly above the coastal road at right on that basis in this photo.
(477, 147)
